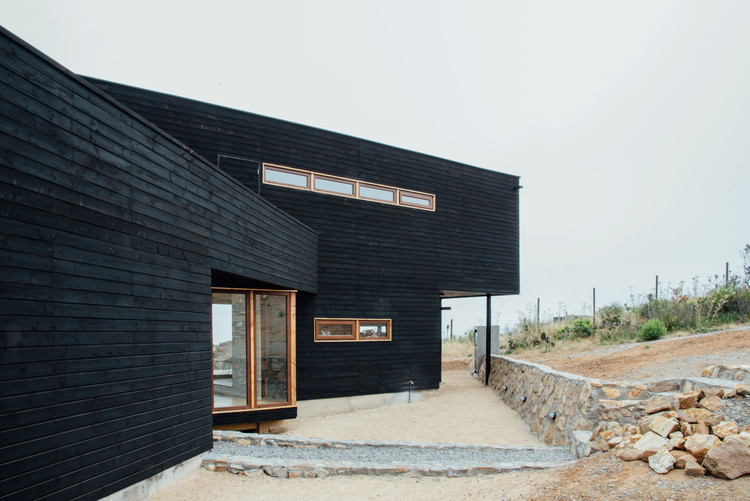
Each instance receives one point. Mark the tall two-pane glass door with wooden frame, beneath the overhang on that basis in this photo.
(253, 349)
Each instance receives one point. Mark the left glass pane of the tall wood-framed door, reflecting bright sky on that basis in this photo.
(229, 316)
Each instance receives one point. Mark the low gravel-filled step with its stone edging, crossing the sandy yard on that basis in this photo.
(280, 456)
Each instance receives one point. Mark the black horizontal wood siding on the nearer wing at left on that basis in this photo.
(109, 232)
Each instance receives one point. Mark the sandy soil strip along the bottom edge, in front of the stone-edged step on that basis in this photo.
(600, 477)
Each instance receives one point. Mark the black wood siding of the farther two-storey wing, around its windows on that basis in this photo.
(375, 260)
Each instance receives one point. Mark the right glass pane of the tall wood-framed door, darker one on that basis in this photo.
(271, 321)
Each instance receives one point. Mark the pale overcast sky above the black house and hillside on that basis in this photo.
(628, 122)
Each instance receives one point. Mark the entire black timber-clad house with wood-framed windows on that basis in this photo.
(168, 266)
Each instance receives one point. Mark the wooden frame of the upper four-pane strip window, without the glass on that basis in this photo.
(398, 193)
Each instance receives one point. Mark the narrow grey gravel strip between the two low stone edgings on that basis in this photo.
(403, 454)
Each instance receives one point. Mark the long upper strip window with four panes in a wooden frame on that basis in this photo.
(300, 179)
